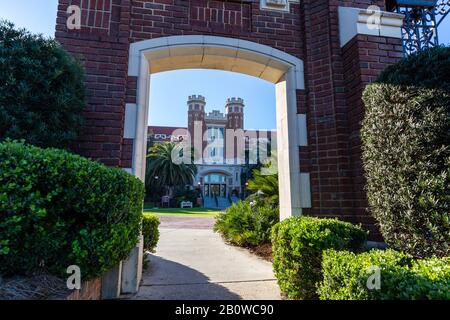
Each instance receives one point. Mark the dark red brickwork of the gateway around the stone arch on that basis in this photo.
(334, 77)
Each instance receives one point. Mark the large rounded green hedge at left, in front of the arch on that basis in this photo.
(58, 209)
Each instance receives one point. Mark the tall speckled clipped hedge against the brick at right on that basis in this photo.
(406, 153)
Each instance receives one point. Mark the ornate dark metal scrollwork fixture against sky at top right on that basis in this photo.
(422, 18)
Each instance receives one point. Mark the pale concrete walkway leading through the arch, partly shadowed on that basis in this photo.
(192, 263)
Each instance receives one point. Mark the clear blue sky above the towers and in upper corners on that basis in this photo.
(39, 16)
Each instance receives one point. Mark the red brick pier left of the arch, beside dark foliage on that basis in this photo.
(102, 45)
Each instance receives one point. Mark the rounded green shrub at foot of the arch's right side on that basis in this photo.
(297, 251)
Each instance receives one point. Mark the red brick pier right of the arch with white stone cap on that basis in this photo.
(337, 70)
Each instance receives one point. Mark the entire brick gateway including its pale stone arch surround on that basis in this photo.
(119, 39)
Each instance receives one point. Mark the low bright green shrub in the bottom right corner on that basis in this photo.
(346, 276)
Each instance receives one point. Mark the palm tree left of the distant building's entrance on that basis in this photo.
(164, 166)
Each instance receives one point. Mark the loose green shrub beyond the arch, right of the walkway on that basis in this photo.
(247, 224)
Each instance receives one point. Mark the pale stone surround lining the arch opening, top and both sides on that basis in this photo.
(236, 55)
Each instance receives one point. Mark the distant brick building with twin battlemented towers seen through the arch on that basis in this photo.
(217, 175)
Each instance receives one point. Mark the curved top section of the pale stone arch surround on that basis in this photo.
(244, 56)
